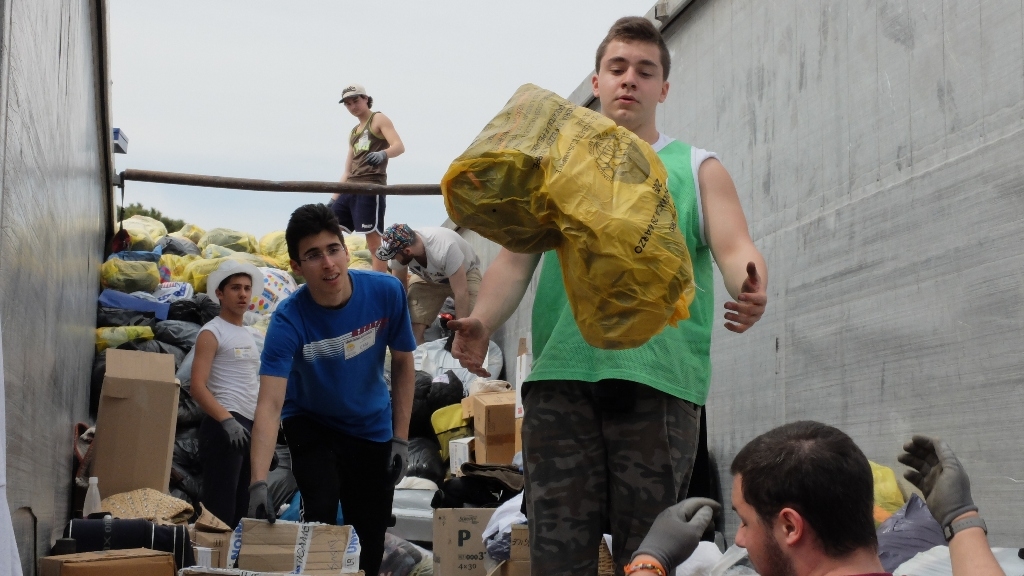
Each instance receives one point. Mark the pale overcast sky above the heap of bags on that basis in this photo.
(251, 90)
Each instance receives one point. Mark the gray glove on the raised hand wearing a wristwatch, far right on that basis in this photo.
(941, 477)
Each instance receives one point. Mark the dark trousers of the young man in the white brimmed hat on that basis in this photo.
(226, 472)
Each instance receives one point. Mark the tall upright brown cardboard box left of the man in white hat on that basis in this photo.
(139, 410)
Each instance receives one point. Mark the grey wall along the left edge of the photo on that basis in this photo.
(55, 202)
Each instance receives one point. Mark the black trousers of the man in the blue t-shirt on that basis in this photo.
(331, 468)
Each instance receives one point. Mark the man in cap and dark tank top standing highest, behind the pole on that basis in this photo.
(371, 144)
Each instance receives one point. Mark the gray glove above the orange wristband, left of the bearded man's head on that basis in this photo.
(677, 531)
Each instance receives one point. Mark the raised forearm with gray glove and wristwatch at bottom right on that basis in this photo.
(942, 478)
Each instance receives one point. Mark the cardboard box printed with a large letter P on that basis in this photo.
(459, 542)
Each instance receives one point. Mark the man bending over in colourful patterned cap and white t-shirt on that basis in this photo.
(443, 265)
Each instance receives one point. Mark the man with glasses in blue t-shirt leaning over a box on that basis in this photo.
(322, 378)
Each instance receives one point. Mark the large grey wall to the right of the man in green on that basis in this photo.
(878, 150)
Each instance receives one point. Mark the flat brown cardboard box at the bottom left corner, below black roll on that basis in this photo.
(137, 562)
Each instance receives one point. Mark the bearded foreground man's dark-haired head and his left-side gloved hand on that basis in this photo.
(805, 497)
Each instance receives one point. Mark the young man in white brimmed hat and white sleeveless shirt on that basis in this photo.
(226, 384)
